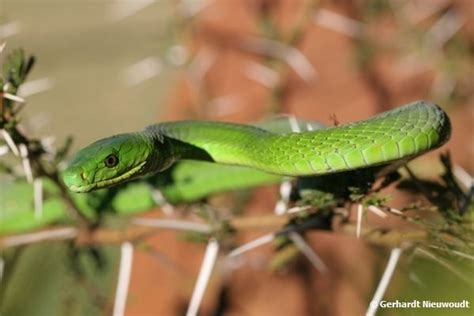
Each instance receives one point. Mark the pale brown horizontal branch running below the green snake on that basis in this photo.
(134, 232)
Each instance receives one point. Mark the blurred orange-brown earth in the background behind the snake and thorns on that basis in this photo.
(218, 86)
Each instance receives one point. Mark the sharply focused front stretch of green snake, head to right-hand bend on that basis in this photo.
(389, 138)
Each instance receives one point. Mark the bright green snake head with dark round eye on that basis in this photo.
(108, 162)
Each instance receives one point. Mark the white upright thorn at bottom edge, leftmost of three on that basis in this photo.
(125, 271)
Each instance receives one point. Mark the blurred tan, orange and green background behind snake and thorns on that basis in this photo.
(105, 67)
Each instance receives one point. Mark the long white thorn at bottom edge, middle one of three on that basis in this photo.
(208, 262)
